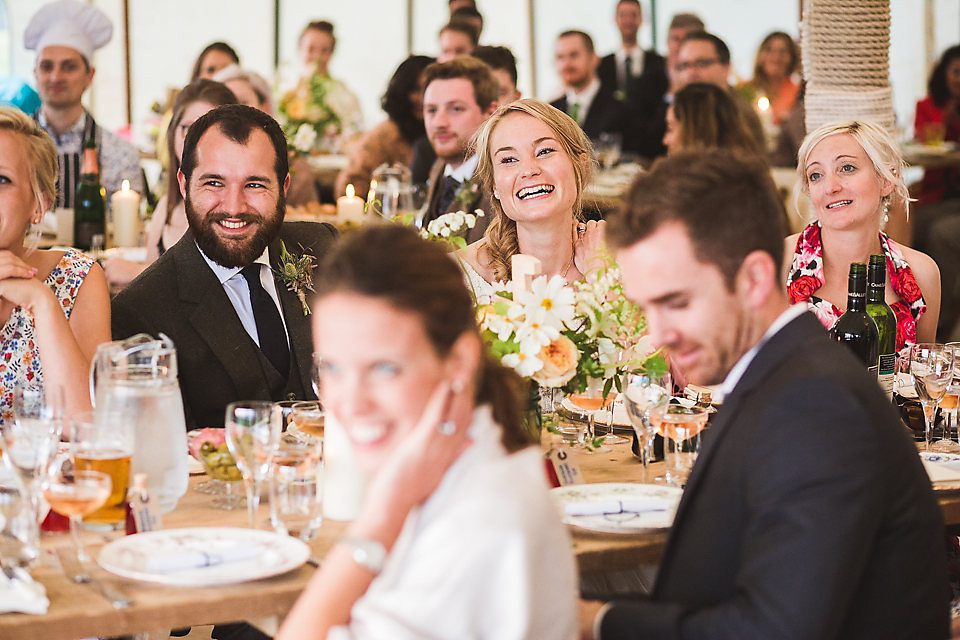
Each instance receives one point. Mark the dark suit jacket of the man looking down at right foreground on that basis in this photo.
(808, 514)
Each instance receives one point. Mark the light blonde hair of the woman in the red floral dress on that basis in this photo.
(880, 148)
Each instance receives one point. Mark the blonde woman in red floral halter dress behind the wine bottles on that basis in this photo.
(853, 174)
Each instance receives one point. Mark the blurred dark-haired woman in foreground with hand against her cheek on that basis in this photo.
(457, 536)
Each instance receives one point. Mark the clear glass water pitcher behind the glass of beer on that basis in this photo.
(136, 380)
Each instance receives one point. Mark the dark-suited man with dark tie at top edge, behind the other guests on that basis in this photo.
(637, 77)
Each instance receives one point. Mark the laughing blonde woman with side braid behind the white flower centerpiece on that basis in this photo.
(535, 161)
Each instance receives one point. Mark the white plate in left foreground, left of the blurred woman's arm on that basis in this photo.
(277, 554)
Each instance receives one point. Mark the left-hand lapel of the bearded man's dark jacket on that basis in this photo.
(213, 316)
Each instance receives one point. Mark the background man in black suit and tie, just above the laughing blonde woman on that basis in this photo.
(594, 108)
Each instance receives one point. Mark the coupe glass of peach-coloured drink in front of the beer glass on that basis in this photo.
(75, 494)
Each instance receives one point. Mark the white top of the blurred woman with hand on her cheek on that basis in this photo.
(486, 556)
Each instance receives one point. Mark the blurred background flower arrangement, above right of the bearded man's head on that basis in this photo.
(318, 114)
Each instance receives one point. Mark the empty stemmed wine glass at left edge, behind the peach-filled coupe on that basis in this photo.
(30, 440)
